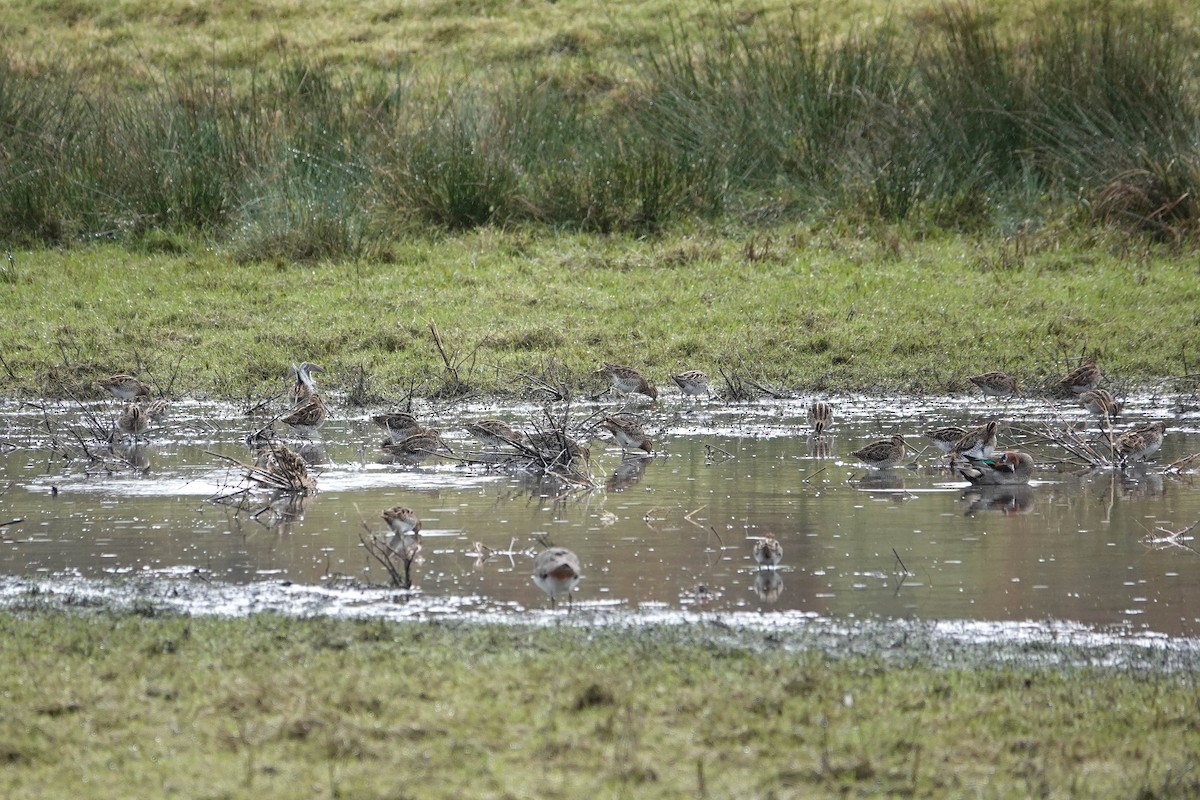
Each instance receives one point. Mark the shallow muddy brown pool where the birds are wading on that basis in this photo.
(674, 532)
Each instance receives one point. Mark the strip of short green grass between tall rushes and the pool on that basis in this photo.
(802, 309)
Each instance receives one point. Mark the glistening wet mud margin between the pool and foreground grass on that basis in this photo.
(899, 643)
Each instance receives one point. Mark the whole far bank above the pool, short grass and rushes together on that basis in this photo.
(892, 197)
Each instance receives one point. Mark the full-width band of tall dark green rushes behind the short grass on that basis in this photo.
(945, 117)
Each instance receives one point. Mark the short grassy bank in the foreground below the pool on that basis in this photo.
(117, 706)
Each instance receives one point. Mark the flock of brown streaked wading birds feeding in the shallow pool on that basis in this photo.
(557, 572)
